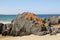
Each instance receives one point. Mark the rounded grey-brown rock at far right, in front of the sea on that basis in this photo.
(53, 19)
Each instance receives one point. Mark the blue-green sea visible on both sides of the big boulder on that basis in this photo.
(11, 17)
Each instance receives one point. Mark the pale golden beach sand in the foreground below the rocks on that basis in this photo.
(32, 37)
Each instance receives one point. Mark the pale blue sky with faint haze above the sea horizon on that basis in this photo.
(35, 6)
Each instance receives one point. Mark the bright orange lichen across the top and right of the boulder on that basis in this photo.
(28, 15)
